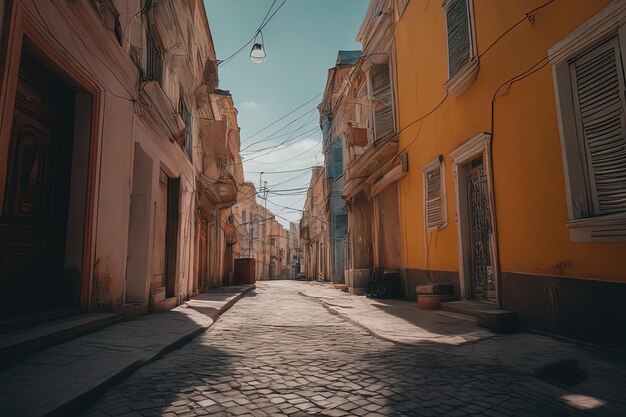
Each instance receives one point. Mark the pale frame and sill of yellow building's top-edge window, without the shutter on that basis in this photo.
(462, 80)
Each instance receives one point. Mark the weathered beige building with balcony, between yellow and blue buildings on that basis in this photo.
(371, 158)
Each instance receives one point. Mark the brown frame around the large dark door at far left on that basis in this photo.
(20, 25)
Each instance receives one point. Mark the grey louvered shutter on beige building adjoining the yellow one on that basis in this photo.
(381, 93)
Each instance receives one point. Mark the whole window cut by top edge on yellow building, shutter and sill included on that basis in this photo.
(462, 61)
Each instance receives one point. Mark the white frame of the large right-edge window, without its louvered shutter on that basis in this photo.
(607, 23)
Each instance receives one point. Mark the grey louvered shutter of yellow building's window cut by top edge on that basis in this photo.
(459, 47)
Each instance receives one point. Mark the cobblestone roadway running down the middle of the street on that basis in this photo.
(276, 353)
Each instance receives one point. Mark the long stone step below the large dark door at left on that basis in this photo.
(41, 336)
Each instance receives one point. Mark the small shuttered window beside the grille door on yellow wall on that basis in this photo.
(434, 195)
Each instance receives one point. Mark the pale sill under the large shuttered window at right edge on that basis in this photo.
(608, 228)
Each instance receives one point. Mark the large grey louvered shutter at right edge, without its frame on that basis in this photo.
(598, 85)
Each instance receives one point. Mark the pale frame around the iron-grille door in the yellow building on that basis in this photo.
(479, 145)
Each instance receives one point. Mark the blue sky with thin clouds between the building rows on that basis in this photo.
(301, 42)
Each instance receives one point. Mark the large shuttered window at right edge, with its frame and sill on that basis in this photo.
(589, 75)
